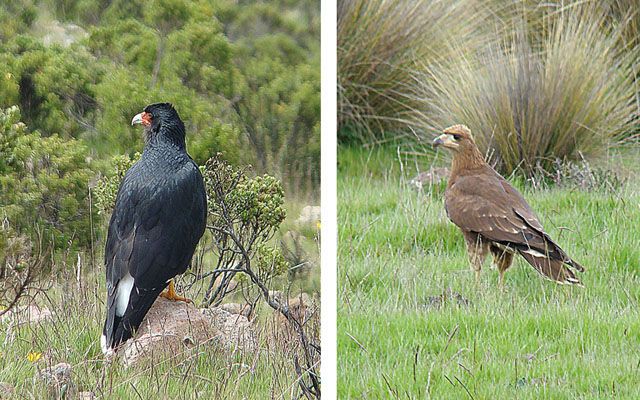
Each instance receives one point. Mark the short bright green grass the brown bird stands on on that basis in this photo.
(535, 340)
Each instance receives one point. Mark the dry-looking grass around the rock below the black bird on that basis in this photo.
(73, 337)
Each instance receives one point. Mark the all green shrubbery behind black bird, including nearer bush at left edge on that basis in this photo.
(245, 79)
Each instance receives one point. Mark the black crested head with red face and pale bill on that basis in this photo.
(161, 124)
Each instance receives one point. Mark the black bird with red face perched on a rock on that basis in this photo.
(158, 219)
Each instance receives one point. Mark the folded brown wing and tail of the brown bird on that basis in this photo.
(487, 204)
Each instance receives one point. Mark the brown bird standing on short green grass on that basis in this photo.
(494, 217)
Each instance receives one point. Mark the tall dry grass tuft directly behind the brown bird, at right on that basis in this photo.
(530, 103)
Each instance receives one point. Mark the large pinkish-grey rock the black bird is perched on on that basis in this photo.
(172, 327)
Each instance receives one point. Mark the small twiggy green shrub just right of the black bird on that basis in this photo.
(244, 215)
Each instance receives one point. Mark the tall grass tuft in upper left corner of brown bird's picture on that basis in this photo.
(381, 43)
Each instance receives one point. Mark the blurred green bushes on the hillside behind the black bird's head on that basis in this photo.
(244, 77)
